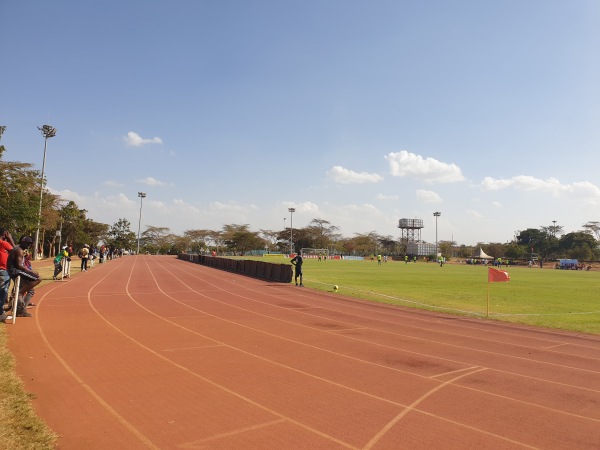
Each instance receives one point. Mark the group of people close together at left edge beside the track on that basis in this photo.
(15, 261)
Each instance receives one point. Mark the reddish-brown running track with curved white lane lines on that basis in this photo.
(153, 352)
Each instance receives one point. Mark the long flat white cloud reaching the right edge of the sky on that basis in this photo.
(526, 183)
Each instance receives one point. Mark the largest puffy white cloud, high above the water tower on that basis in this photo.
(405, 164)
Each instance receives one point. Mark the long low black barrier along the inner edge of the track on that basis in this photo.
(282, 273)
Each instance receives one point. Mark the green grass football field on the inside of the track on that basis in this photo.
(562, 299)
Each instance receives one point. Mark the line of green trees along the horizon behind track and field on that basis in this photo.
(66, 223)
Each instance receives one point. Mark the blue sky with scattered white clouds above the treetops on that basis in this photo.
(358, 113)
